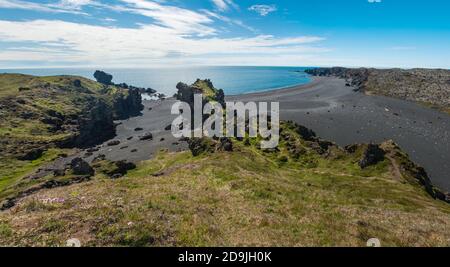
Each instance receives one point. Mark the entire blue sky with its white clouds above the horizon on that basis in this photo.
(160, 33)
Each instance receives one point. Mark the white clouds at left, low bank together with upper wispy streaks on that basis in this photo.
(171, 35)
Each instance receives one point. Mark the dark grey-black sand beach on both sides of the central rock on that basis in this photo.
(334, 111)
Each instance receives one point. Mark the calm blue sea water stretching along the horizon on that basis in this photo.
(233, 80)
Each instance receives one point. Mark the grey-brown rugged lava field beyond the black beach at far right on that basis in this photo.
(421, 85)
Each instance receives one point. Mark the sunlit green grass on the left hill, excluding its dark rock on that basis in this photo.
(41, 96)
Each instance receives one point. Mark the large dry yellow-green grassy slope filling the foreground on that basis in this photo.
(246, 197)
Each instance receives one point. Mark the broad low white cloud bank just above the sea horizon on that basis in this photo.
(60, 41)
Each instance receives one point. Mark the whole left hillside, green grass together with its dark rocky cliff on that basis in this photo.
(42, 118)
